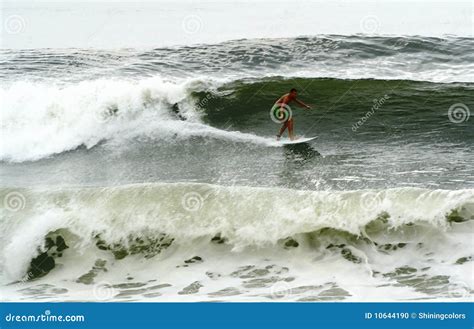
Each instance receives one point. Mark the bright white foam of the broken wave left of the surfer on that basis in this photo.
(39, 120)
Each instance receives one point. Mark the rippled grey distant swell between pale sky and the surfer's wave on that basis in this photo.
(343, 57)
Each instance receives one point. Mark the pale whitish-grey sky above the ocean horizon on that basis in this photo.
(158, 23)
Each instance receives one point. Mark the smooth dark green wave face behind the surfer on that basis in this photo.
(355, 109)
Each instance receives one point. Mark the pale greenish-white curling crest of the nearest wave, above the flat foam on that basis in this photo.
(239, 216)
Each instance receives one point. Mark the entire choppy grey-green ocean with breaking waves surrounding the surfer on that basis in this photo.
(154, 174)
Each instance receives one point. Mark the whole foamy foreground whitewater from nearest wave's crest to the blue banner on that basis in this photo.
(241, 243)
